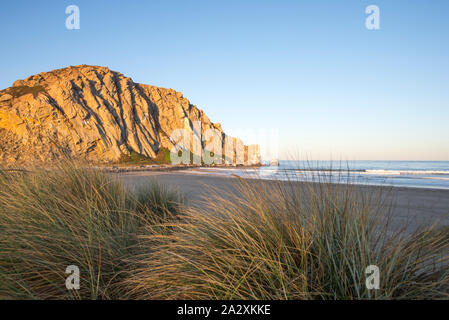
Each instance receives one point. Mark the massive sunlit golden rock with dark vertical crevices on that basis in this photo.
(92, 113)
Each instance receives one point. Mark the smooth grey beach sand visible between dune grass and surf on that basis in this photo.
(412, 208)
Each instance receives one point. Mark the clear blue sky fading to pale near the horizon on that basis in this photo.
(308, 69)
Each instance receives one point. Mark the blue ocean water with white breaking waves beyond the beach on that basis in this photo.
(418, 174)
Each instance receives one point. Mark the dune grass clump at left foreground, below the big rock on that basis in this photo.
(50, 219)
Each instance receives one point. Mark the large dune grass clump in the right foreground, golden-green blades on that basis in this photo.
(274, 240)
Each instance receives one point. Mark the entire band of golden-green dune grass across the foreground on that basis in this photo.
(270, 240)
